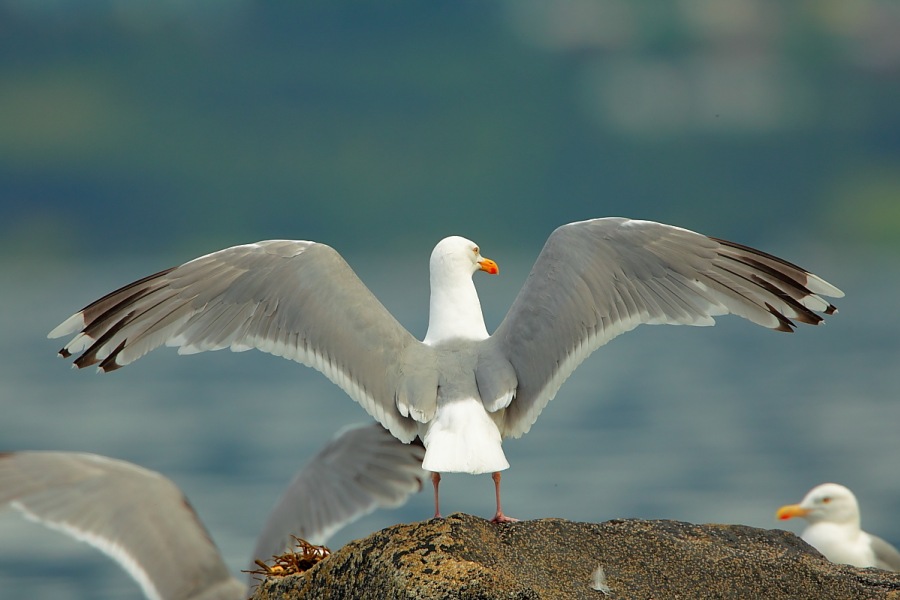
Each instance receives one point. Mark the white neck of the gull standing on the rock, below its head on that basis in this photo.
(455, 311)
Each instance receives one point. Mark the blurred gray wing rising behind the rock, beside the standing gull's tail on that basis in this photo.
(362, 469)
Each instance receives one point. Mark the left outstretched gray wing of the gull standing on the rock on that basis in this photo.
(295, 299)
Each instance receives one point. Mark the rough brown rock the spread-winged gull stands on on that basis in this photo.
(465, 557)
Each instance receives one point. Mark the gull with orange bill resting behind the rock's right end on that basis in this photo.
(834, 529)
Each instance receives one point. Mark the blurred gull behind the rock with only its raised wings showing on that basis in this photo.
(143, 521)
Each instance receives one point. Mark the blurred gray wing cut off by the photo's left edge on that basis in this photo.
(137, 517)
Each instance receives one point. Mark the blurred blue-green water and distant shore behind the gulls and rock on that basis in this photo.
(137, 135)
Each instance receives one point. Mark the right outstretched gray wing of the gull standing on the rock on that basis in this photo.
(597, 279)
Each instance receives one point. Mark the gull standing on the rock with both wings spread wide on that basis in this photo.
(460, 390)
